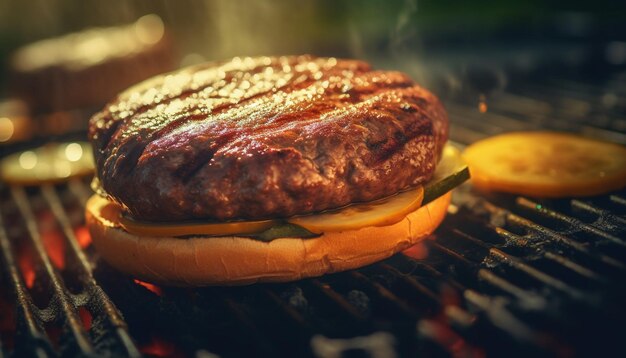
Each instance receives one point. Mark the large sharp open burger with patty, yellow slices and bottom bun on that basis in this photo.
(267, 169)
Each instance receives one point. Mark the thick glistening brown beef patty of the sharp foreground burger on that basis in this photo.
(265, 137)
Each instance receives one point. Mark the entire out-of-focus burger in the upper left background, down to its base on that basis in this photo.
(62, 80)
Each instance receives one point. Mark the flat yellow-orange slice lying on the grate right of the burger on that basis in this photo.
(546, 164)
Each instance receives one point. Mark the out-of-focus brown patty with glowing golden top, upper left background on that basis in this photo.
(87, 68)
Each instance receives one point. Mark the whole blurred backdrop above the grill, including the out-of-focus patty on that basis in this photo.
(476, 49)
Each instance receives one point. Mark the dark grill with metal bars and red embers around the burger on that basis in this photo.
(504, 275)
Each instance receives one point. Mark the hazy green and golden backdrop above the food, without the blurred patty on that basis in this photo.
(436, 33)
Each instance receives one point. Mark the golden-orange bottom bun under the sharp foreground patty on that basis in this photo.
(202, 261)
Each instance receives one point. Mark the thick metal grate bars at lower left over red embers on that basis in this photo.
(62, 310)
